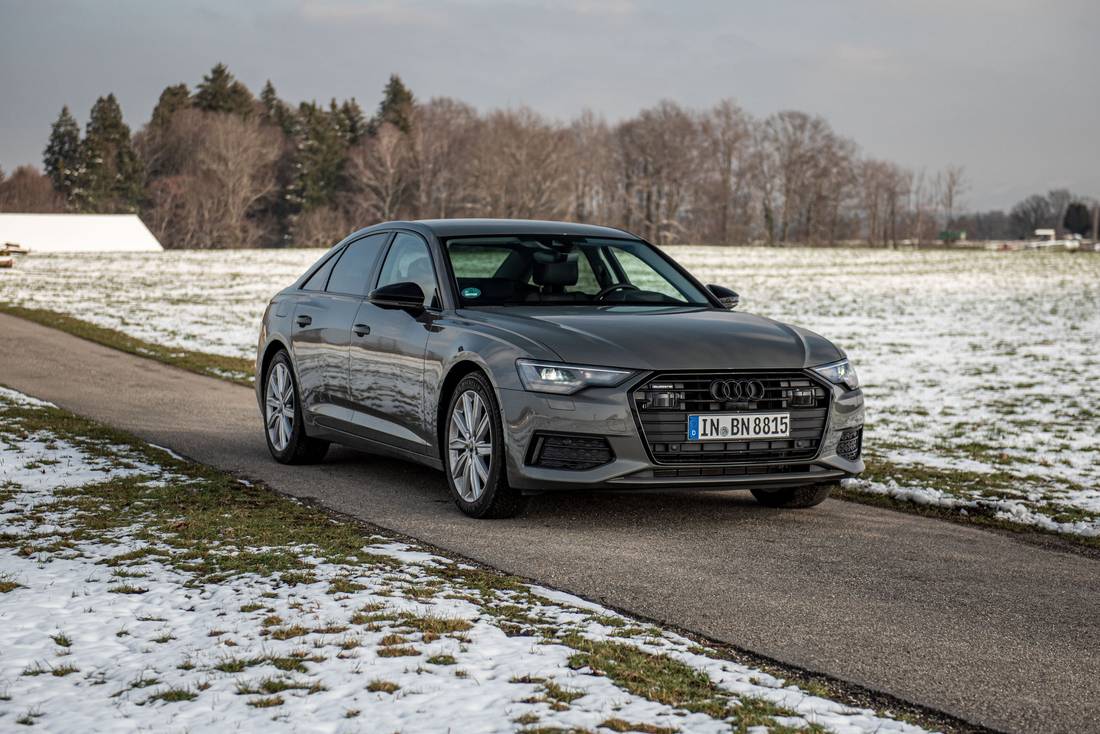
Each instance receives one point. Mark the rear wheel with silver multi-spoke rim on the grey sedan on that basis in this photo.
(284, 426)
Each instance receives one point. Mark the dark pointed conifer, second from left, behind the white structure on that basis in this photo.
(111, 177)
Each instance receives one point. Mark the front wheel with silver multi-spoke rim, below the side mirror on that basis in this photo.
(474, 457)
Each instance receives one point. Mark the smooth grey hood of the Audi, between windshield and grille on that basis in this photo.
(648, 338)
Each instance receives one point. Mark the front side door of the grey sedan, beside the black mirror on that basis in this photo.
(388, 353)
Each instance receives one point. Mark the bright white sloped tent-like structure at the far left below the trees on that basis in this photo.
(78, 234)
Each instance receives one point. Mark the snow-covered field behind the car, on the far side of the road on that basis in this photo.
(980, 367)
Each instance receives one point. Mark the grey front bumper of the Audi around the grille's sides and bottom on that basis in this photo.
(608, 413)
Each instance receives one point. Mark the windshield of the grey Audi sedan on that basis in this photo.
(537, 270)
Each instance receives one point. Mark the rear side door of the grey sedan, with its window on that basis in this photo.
(322, 330)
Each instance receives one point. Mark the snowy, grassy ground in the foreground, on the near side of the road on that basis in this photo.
(142, 594)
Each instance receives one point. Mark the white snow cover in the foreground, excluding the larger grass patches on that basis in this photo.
(79, 655)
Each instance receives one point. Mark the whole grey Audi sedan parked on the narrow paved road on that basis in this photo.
(521, 357)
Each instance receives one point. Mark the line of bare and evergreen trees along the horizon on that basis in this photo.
(218, 168)
